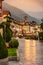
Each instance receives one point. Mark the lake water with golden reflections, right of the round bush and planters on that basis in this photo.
(31, 53)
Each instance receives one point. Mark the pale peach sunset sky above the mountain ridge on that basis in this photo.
(27, 5)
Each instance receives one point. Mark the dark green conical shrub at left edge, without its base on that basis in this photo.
(3, 49)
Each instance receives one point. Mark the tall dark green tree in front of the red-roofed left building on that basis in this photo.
(7, 32)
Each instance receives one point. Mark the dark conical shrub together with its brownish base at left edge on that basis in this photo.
(3, 52)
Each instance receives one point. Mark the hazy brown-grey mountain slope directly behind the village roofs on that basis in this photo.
(18, 13)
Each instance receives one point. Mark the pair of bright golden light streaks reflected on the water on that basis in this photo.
(30, 50)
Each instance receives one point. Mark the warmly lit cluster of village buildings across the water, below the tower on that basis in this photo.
(28, 28)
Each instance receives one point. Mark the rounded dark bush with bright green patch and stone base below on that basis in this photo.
(13, 50)
